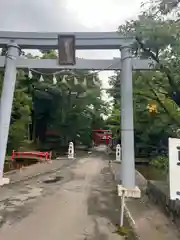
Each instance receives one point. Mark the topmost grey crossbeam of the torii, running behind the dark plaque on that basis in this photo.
(49, 40)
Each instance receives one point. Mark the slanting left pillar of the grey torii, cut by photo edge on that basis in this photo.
(6, 102)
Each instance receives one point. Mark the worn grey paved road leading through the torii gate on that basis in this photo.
(78, 207)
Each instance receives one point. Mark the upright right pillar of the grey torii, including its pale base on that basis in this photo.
(128, 187)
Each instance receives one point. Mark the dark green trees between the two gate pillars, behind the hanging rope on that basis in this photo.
(53, 113)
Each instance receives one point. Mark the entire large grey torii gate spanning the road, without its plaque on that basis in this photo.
(15, 41)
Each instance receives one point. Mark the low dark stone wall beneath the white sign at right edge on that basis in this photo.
(158, 192)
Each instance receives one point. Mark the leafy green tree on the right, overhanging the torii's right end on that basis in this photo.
(156, 93)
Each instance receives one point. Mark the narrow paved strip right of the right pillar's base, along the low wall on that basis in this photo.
(150, 221)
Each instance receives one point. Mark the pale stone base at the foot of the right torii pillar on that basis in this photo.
(129, 193)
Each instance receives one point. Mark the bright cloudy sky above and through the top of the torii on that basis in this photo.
(69, 16)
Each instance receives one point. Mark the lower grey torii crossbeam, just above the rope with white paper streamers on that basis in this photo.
(81, 64)
